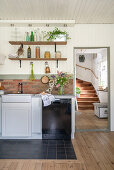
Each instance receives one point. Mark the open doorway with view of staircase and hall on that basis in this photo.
(92, 88)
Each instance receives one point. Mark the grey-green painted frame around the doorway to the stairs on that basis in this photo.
(74, 85)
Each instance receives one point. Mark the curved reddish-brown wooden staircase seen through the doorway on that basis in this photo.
(88, 95)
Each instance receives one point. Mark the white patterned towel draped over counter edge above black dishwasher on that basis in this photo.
(47, 99)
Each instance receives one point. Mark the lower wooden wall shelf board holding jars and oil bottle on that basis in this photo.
(62, 59)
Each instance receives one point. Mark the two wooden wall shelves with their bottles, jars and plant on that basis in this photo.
(55, 37)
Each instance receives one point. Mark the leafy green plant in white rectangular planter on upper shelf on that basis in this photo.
(57, 35)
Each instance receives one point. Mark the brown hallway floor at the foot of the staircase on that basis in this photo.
(87, 120)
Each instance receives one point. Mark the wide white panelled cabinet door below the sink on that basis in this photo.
(16, 119)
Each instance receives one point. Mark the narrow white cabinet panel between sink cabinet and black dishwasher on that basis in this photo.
(36, 115)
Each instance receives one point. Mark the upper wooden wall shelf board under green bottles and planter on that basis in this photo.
(38, 42)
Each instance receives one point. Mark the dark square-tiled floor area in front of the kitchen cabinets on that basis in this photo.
(36, 149)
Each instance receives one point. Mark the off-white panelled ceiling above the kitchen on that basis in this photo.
(82, 11)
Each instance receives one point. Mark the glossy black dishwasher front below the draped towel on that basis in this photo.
(56, 120)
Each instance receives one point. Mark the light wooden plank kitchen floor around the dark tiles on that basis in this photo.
(94, 150)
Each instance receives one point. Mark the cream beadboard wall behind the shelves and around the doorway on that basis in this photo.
(83, 35)
